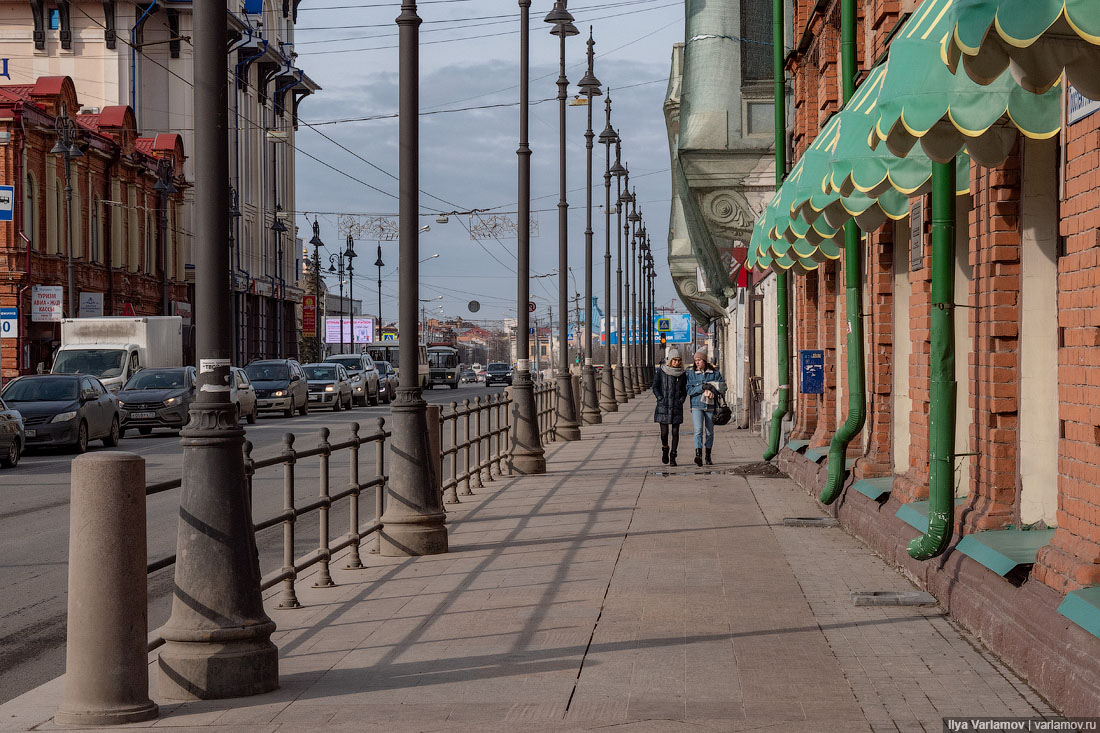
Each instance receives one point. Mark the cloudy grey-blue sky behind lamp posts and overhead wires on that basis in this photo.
(469, 58)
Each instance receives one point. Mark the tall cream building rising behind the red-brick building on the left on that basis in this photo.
(140, 56)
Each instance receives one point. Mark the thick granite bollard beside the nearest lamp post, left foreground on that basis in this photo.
(106, 658)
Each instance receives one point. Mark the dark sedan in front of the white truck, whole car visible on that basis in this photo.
(64, 410)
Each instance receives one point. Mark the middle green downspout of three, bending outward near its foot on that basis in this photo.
(853, 296)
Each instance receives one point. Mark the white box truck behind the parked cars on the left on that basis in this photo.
(114, 348)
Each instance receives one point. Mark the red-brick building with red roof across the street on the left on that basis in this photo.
(126, 235)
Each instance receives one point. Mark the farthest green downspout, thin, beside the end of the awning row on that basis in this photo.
(783, 316)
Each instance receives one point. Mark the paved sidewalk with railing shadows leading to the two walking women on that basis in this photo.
(607, 594)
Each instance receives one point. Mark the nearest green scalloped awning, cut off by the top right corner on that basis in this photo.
(1037, 39)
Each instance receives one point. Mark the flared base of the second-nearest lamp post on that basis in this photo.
(414, 522)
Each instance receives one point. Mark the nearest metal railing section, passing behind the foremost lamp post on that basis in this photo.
(323, 554)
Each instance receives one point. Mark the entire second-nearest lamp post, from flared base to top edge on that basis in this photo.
(414, 520)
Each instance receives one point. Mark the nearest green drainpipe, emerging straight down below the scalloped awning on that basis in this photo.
(942, 430)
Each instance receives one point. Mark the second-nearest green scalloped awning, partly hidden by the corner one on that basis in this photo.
(922, 101)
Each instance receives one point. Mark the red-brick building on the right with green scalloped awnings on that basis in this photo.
(1015, 314)
